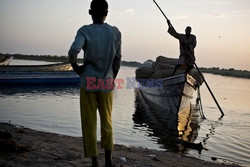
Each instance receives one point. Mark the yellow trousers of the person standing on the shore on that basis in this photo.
(89, 103)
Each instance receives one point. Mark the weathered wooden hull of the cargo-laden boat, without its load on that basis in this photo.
(175, 94)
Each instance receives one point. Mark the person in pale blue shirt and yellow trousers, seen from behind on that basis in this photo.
(101, 44)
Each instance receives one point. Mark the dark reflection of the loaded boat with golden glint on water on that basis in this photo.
(176, 133)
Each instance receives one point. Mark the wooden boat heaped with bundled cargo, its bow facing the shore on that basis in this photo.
(174, 93)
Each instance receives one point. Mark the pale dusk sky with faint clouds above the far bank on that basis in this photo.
(49, 26)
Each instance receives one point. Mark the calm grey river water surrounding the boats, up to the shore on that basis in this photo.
(56, 109)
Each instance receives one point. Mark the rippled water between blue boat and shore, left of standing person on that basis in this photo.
(50, 108)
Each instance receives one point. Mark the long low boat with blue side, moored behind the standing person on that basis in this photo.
(38, 74)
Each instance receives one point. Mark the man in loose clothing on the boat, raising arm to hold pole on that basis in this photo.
(187, 44)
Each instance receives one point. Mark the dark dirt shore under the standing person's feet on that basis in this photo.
(21, 147)
